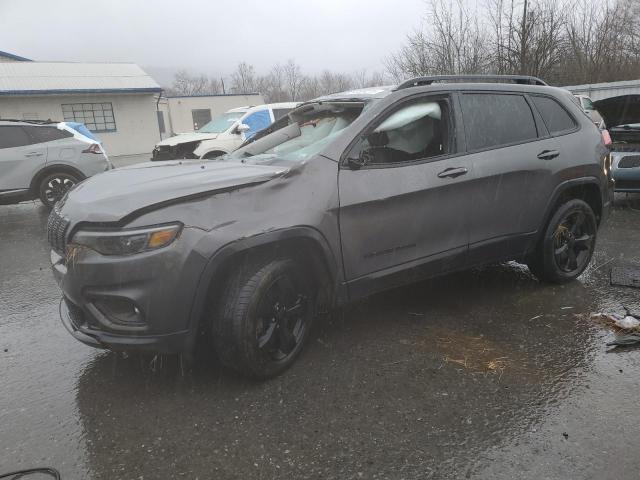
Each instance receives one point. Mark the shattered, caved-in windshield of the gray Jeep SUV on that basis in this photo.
(309, 131)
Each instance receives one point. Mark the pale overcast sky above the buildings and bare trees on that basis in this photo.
(210, 36)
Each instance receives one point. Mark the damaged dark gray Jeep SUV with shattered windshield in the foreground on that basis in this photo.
(348, 195)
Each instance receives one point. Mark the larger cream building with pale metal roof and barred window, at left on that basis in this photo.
(116, 101)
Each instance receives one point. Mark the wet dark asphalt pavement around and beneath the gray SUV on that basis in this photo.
(486, 374)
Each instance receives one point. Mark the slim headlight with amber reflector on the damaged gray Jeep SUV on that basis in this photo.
(127, 242)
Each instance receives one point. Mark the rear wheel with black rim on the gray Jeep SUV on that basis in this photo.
(567, 245)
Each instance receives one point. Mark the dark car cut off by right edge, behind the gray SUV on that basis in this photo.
(622, 117)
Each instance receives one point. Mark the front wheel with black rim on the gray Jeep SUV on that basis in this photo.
(263, 318)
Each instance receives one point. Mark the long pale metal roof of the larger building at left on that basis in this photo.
(43, 78)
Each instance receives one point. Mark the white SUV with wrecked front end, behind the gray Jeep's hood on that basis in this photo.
(222, 134)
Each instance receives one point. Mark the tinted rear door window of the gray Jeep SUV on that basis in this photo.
(494, 120)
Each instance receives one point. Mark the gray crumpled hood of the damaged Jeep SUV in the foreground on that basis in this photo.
(113, 195)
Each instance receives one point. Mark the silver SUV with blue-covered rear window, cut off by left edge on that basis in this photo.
(43, 159)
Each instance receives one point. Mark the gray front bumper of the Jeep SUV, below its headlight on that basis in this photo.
(159, 286)
